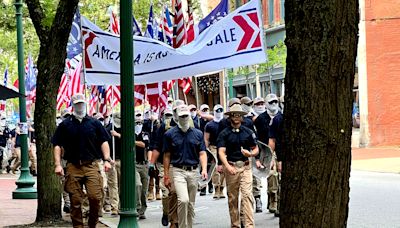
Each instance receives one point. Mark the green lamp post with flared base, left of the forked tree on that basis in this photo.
(25, 182)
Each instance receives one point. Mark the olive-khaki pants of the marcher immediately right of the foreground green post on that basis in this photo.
(142, 177)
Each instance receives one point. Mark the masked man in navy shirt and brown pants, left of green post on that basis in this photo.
(84, 141)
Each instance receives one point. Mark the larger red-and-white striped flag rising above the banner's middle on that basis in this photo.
(179, 38)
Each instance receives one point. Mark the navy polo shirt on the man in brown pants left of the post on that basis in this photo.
(81, 140)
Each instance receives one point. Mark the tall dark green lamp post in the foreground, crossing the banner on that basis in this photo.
(128, 214)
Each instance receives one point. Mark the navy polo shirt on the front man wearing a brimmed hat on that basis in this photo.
(233, 141)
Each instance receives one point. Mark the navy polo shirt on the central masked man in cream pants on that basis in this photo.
(184, 147)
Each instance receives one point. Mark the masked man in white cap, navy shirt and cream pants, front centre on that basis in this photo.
(184, 149)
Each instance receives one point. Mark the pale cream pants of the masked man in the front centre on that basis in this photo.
(186, 184)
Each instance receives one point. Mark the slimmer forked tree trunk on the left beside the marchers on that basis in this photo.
(51, 63)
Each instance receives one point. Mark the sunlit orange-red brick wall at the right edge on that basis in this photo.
(383, 70)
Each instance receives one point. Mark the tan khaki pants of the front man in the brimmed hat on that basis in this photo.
(240, 182)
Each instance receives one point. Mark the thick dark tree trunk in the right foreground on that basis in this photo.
(321, 39)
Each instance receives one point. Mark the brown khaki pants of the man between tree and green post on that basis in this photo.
(88, 175)
